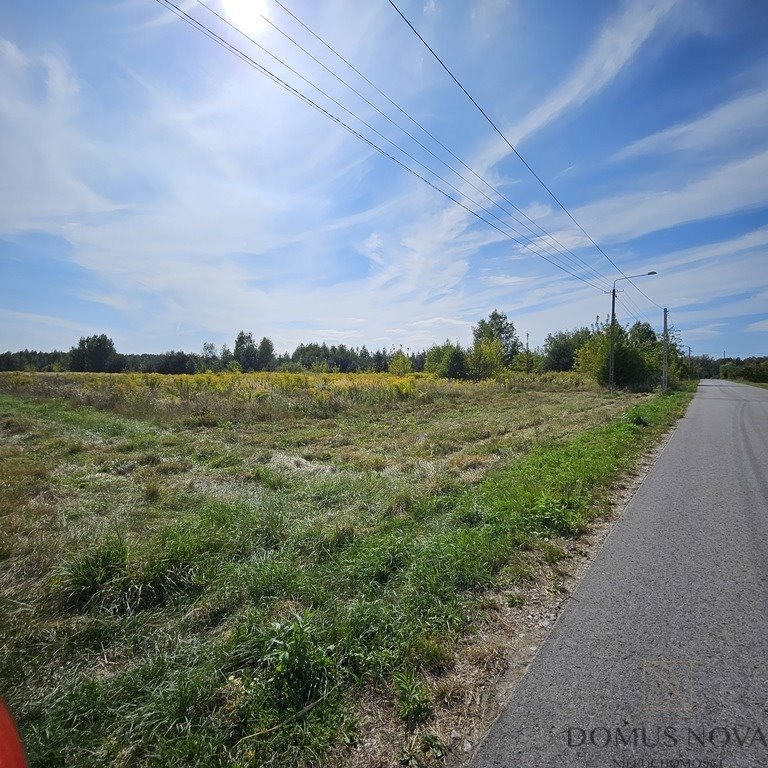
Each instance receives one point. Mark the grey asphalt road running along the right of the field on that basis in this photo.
(660, 658)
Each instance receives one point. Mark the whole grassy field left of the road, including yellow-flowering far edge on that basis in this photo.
(233, 569)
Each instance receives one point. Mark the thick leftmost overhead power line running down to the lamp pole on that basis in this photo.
(283, 84)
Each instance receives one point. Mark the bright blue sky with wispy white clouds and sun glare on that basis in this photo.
(157, 188)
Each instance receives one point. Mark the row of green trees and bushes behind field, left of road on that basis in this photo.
(496, 348)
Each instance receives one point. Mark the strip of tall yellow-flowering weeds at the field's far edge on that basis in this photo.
(256, 396)
